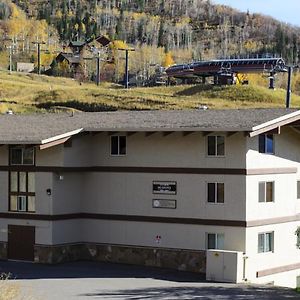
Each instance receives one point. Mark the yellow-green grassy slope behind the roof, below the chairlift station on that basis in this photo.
(27, 93)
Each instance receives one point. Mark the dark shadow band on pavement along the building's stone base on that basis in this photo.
(82, 269)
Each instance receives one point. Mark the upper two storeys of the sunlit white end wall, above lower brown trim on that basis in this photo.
(287, 154)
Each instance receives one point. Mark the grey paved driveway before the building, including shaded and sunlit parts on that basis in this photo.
(88, 280)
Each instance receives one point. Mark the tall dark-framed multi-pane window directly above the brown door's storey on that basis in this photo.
(22, 191)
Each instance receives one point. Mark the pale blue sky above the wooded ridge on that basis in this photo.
(284, 10)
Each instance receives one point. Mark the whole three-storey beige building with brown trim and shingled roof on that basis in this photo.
(159, 188)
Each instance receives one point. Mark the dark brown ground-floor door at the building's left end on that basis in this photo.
(21, 240)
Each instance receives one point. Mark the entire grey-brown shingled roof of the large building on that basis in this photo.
(38, 127)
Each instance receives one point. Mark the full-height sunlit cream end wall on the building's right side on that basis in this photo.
(287, 154)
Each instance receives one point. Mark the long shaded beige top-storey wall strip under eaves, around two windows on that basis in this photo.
(173, 150)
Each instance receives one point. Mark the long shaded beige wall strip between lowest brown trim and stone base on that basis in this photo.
(172, 235)
